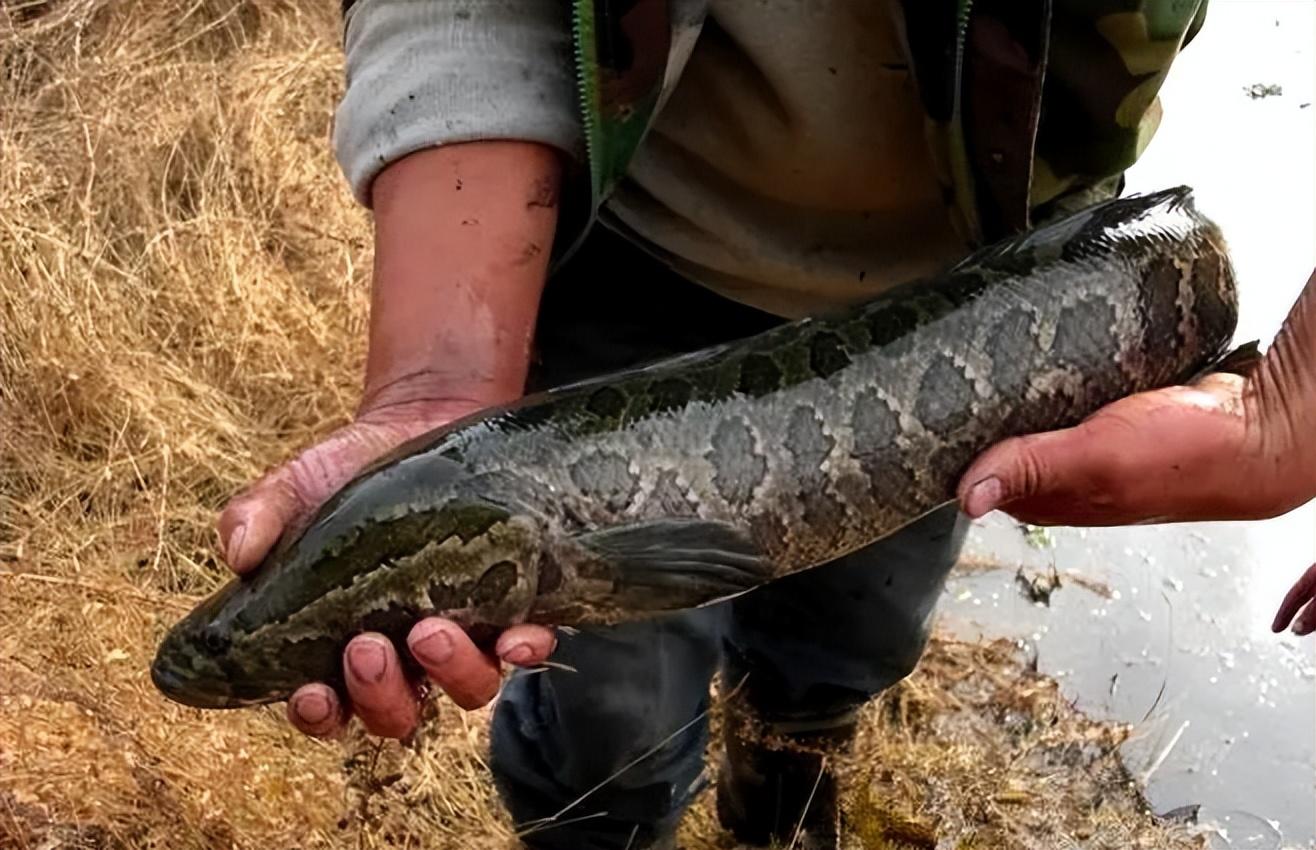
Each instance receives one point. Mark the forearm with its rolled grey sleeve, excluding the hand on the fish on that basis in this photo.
(465, 220)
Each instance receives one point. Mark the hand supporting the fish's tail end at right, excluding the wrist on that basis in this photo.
(1171, 456)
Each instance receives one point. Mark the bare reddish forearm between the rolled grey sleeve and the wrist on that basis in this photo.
(463, 243)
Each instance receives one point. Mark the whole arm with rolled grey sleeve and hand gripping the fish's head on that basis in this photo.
(455, 127)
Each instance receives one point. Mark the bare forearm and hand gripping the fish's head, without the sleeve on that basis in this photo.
(463, 237)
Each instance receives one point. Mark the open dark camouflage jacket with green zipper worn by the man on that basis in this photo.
(1035, 107)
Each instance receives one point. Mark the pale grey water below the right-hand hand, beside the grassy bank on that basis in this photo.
(1169, 631)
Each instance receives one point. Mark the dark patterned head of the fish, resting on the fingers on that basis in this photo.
(419, 536)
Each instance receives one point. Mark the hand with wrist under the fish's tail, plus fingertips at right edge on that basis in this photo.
(1226, 448)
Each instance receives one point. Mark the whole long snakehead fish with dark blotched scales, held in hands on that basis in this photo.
(697, 478)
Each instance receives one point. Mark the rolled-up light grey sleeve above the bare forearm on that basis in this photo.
(426, 73)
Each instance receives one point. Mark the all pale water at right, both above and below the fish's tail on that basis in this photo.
(1225, 710)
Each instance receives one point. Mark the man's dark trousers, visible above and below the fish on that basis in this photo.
(807, 649)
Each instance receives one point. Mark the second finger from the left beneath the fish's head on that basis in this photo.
(380, 691)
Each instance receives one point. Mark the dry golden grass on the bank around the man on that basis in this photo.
(182, 302)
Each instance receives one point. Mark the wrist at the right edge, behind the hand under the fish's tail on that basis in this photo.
(1281, 403)
